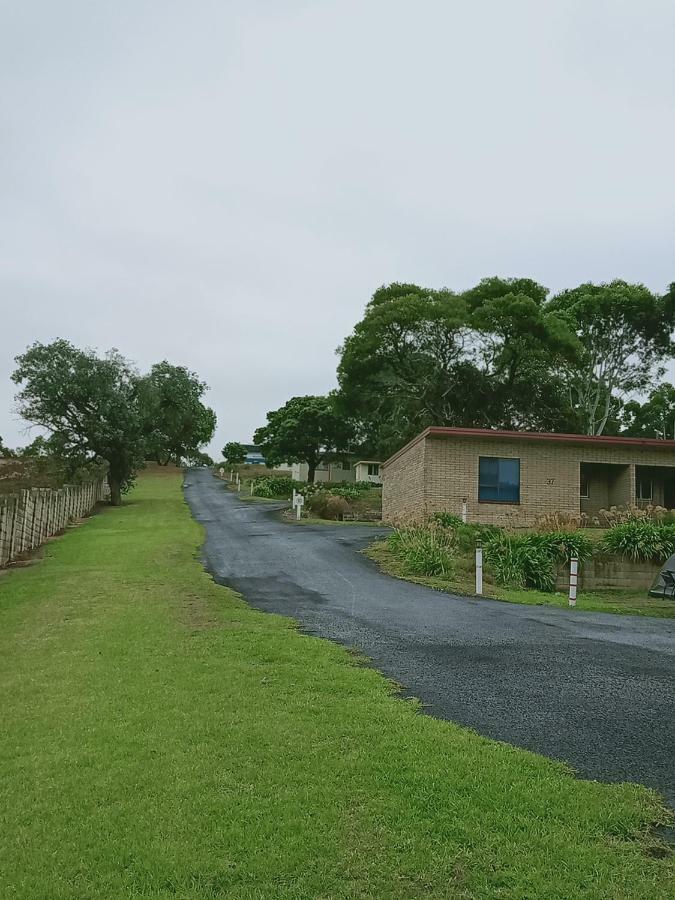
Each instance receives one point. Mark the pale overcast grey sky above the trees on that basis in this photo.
(225, 184)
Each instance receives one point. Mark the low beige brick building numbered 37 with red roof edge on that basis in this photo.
(514, 477)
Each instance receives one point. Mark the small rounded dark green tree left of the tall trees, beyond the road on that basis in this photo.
(306, 429)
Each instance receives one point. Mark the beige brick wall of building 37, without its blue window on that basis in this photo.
(439, 472)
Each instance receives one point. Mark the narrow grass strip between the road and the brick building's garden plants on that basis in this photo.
(462, 581)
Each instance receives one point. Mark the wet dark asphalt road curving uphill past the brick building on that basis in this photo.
(592, 689)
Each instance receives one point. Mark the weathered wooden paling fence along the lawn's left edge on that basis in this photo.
(29, 517)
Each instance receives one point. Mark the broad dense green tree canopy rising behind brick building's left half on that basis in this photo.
(484, 358)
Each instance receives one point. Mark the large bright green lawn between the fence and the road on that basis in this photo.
(161, 739)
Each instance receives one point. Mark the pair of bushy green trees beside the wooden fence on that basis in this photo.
(99, 409)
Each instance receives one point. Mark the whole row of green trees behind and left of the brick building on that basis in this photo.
(503, 354)
